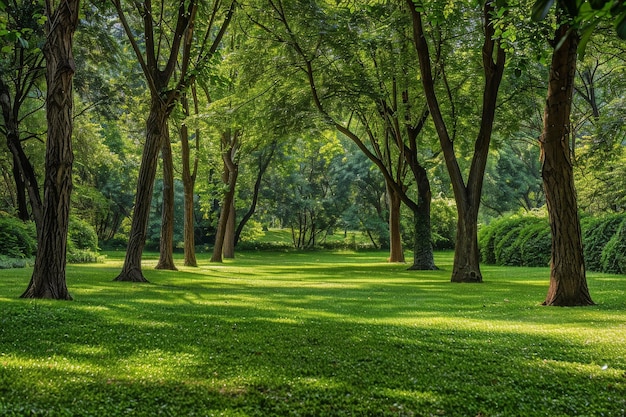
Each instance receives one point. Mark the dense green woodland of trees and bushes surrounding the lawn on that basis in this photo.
(186, 126)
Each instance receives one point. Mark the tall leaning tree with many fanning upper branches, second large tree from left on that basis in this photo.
(166, 78)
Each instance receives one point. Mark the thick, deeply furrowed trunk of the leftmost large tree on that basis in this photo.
(48, 279)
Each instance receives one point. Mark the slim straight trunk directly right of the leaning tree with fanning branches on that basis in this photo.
(166, 242)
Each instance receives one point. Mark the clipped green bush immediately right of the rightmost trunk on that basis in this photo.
(597, 232)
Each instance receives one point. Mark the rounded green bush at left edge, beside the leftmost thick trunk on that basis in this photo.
(17, 239)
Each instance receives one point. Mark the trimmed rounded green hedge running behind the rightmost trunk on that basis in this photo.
(525, 240)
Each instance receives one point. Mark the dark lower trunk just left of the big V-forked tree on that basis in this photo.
(423, 259)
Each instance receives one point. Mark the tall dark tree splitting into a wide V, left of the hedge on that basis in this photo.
(466, 266)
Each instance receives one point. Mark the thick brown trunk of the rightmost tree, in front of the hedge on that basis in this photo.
(568, 283)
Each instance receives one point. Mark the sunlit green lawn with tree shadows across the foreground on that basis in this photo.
(310, 334)
